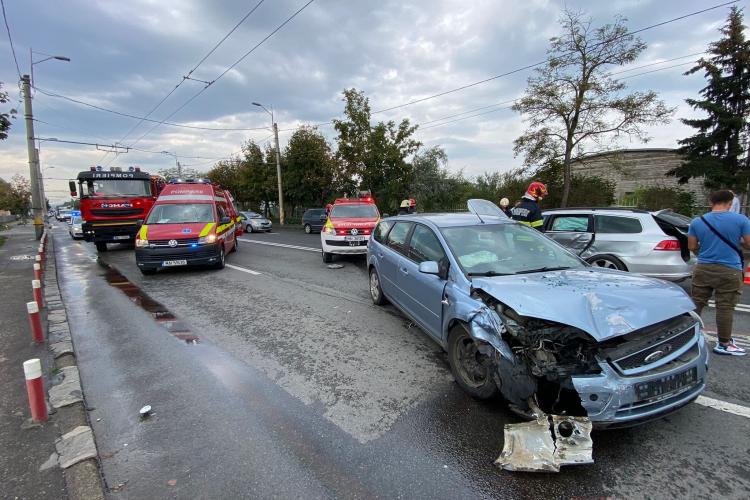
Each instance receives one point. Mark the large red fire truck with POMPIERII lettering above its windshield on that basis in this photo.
(114, 203)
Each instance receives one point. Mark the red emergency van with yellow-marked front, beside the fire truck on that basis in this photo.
(193, 222)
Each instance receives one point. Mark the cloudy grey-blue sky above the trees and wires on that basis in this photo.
(127, 55)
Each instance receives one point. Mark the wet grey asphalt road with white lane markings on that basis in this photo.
(278, 377)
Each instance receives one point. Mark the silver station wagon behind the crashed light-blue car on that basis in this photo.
(649, 243)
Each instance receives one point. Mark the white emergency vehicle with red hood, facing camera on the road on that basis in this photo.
(348, 226)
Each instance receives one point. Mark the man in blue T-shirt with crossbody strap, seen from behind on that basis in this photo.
(718, 237)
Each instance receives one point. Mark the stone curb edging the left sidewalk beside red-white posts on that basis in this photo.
(76, 446)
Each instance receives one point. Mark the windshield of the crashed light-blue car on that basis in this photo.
(502, 249)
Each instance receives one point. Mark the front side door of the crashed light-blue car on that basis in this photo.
(423, 293)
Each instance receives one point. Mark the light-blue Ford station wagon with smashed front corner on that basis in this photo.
(521, 316)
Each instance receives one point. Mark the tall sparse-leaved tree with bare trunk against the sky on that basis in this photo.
(572, 102)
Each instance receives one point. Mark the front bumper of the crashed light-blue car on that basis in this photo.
(611, 399)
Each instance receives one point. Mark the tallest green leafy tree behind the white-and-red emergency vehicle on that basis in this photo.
(374, 157)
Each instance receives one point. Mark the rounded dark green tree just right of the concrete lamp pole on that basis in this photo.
(309, 170)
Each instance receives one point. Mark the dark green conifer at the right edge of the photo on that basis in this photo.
(719, 149)
